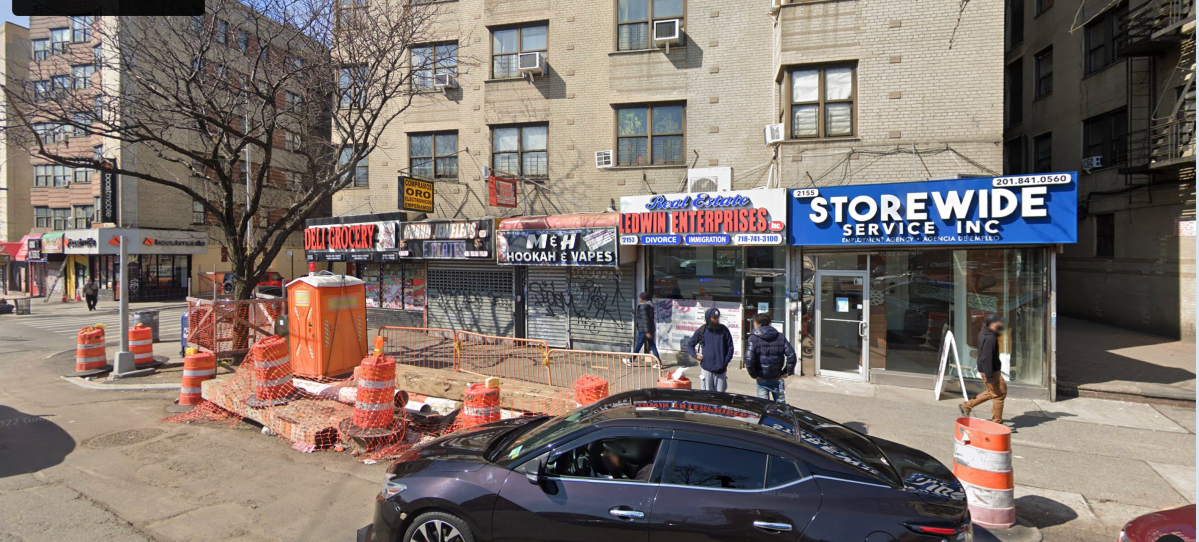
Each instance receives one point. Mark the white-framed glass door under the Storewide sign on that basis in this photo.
(842, 323)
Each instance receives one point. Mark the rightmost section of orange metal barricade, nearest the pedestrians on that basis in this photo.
(623, 371)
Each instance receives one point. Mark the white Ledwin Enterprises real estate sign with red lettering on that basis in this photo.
(733, 218)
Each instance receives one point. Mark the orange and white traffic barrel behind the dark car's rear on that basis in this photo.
(983, 462)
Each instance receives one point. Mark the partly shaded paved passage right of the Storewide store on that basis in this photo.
(1096, 360)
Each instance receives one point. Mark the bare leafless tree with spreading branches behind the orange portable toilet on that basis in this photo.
(258, 113)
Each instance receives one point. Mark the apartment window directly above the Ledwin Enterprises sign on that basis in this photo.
(649, 135)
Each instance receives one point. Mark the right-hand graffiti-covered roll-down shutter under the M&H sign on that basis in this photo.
(602, 309)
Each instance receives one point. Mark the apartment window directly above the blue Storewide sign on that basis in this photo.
(823, 101)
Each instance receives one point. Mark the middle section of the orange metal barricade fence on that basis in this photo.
(505, 357)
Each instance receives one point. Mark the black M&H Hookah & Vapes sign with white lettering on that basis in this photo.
(577, 246)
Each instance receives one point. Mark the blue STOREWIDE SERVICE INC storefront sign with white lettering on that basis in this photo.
(1011, 210)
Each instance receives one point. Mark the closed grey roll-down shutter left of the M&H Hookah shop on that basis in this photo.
(471, 298)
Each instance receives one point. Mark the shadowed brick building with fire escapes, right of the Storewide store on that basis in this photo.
(1108, 89)
